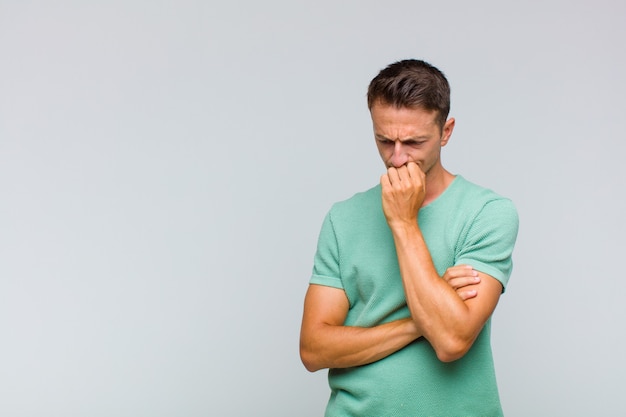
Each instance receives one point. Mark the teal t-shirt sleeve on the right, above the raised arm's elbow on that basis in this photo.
(490, 240)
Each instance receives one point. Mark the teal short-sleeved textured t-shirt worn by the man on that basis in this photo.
(466, 224)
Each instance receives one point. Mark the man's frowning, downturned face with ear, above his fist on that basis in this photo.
(406, 135)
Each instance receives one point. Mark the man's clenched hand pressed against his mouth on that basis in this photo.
(403, 192)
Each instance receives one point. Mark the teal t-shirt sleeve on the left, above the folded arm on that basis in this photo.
(326, 262)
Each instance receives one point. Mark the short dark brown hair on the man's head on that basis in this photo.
(411, 83)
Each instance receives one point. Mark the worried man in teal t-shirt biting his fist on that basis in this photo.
(407, 274)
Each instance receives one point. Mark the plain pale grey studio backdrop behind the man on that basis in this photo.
(165, 168)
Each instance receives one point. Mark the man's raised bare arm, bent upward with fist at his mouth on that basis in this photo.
(447, 322)
